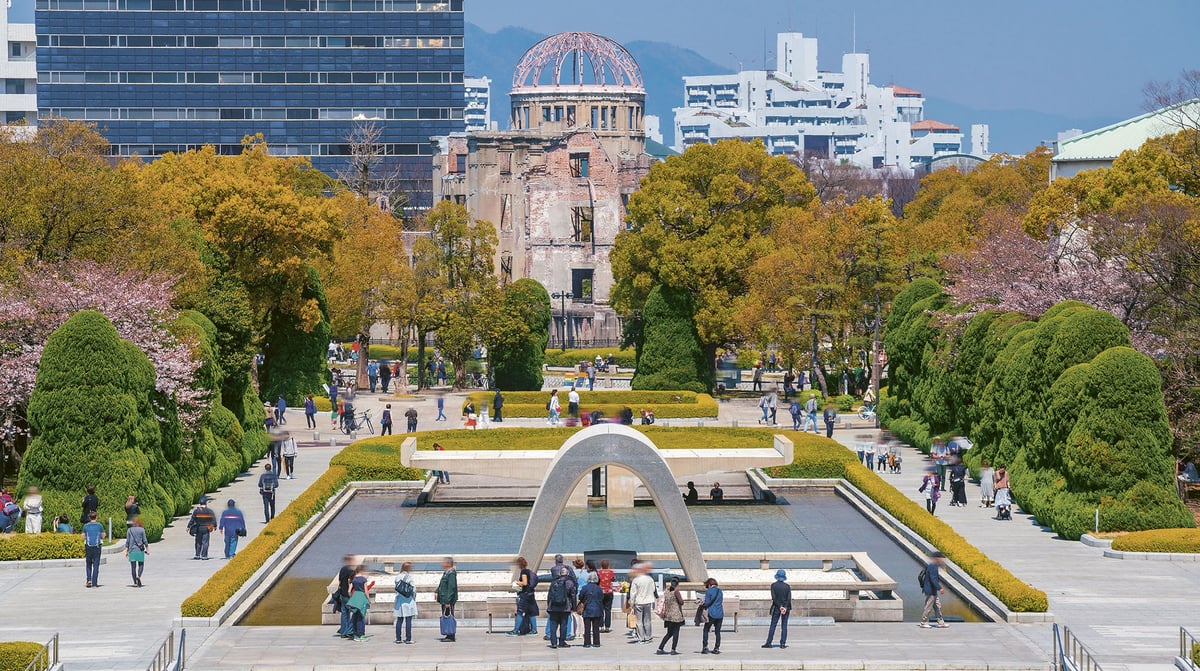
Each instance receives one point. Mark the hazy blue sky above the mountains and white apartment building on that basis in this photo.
(1061, 57)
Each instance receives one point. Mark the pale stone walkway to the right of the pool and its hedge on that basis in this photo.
(1127, 613)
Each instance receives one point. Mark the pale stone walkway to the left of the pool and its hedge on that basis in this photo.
(121, 627)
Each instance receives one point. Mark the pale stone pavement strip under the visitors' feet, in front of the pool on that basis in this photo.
(841, 646)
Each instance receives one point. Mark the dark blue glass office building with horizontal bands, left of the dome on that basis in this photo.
(160, 76)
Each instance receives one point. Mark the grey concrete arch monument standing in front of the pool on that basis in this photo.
(613, 445)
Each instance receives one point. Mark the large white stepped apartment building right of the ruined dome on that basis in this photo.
(803, 111)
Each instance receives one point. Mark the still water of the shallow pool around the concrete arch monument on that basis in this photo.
(392, 525)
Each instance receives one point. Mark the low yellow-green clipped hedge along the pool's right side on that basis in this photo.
(819, 458)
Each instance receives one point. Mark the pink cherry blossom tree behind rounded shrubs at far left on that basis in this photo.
(43, 298)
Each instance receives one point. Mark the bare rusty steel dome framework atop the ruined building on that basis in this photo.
(573, 57)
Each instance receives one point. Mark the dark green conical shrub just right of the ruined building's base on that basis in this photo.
(673, 357)
